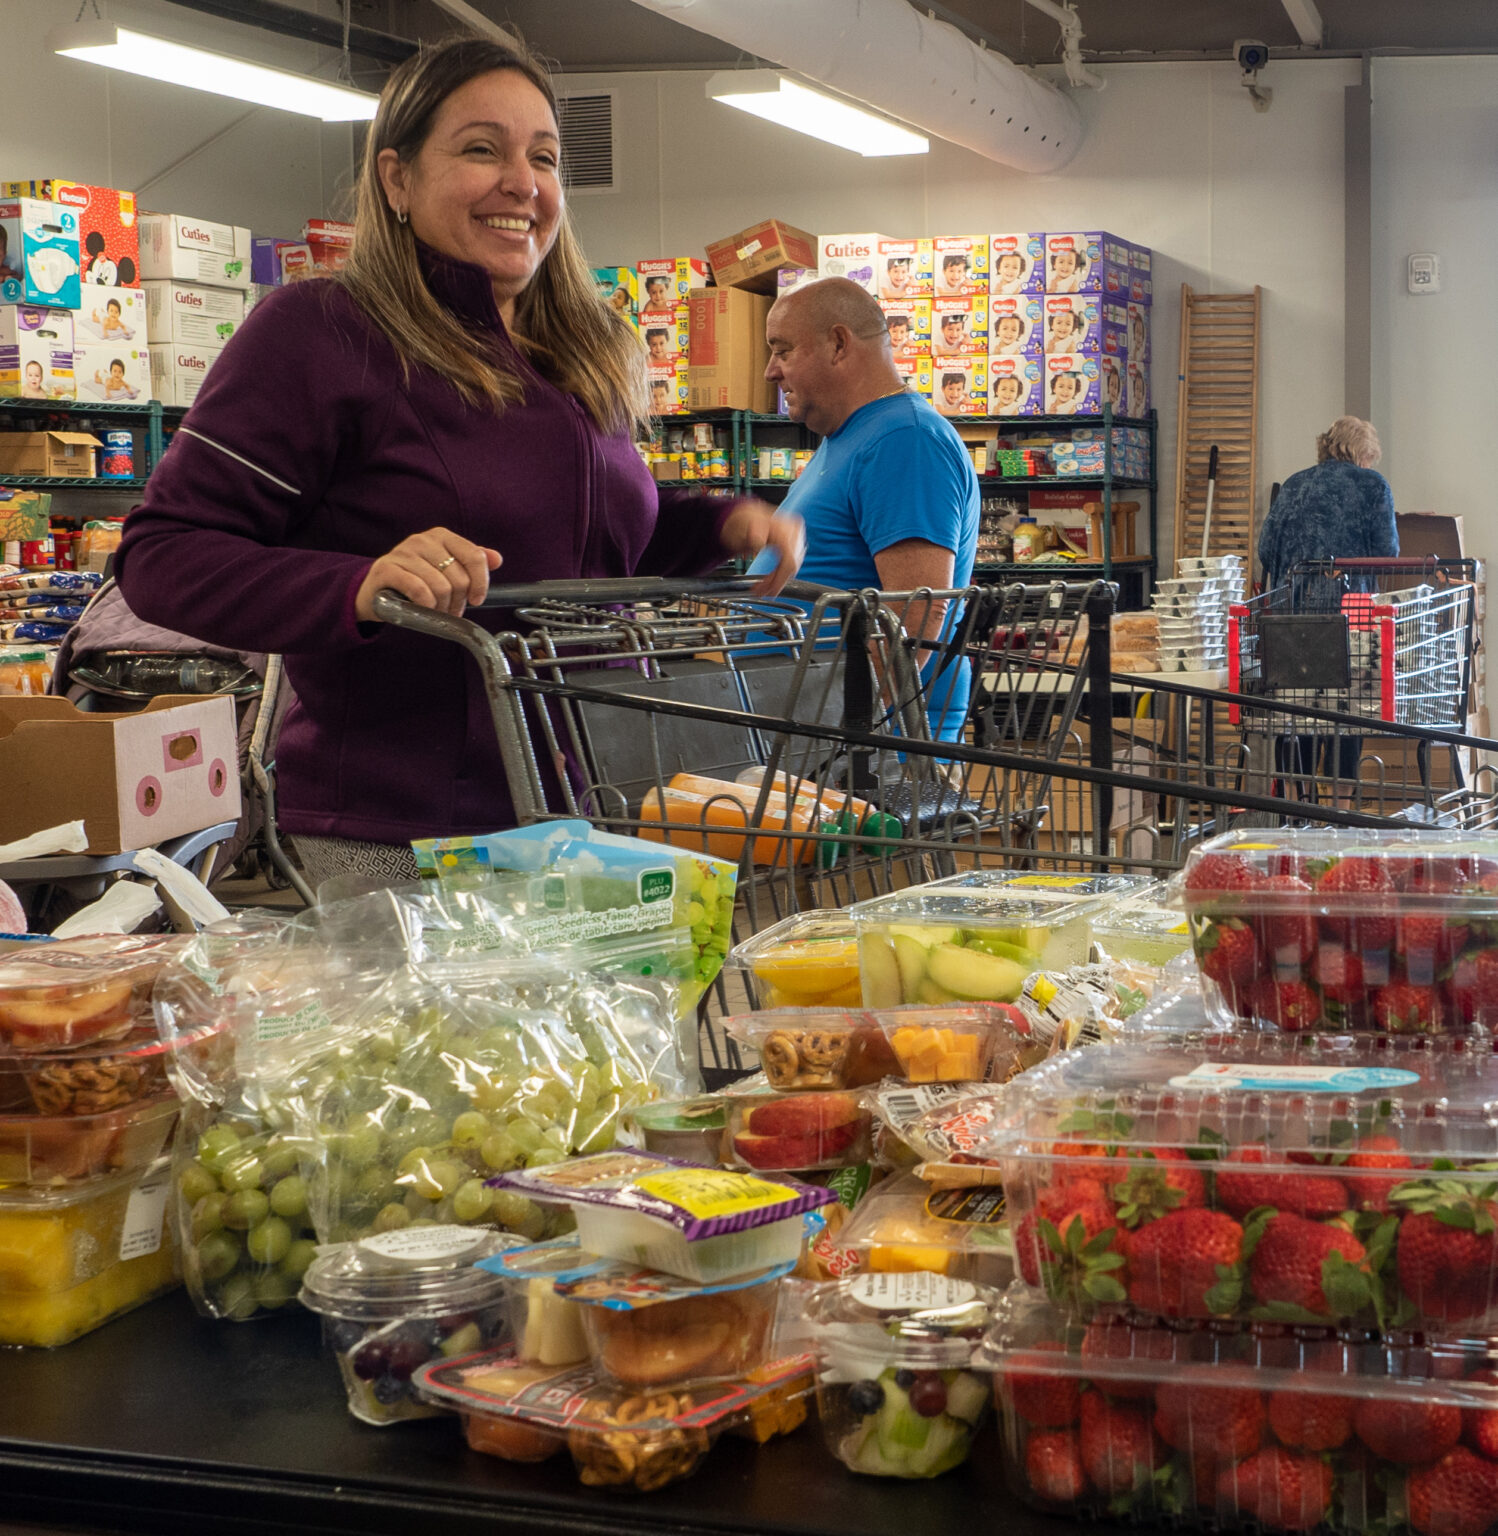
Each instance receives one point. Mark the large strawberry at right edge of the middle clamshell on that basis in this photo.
(1448, 1248)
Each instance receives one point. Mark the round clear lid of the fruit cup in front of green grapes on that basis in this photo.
(416, 1273)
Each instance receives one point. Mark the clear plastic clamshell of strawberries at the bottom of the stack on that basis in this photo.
(1219, 1428)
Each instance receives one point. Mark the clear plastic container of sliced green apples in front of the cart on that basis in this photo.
(976, 936)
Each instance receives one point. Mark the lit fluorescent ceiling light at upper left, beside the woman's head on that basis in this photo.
(156, 59)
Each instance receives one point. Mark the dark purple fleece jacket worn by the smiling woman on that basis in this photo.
(302, 462)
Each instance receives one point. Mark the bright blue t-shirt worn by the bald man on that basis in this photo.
(893, 471)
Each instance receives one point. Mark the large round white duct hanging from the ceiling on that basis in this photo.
(896, 61)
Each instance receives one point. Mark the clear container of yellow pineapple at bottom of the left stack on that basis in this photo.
(76, 1257)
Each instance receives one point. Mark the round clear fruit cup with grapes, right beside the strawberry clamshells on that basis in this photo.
(896, 1389)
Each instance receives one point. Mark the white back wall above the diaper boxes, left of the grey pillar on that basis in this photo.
(1175, 159)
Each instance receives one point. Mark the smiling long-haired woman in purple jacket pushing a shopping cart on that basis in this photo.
(457, 397)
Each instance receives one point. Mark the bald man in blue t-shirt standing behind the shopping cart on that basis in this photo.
(890, 498)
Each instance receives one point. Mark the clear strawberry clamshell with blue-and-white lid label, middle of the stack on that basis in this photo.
(1294, 1179)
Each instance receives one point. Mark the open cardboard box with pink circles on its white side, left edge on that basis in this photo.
(133, 780)
